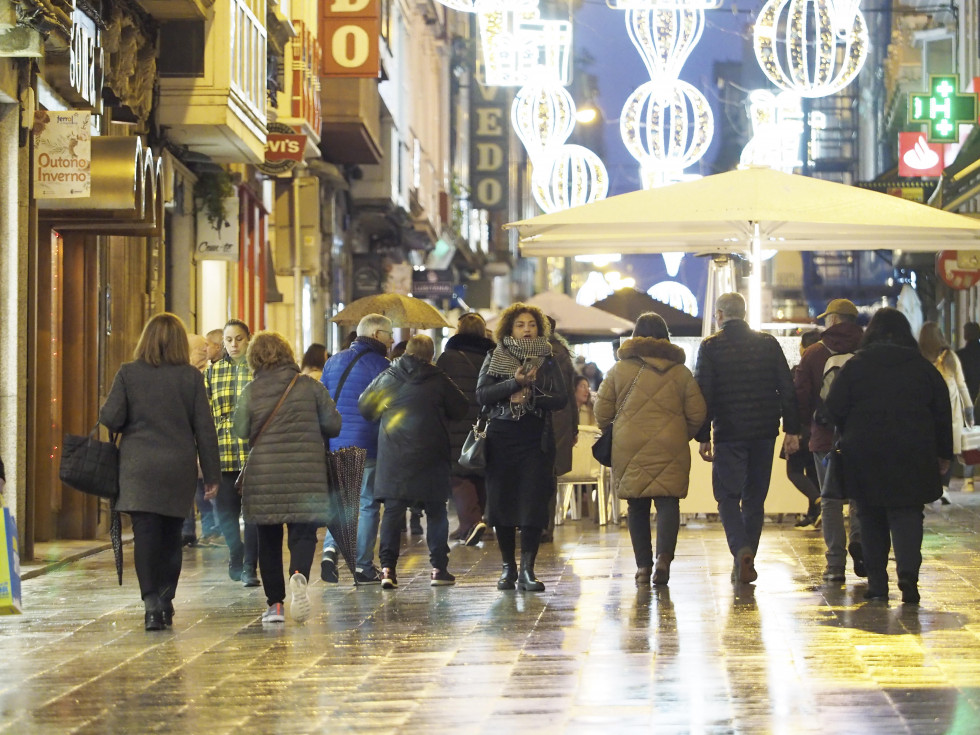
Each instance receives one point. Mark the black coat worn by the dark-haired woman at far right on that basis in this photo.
(892, 408)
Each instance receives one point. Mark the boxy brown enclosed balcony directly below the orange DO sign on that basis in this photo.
(351, 111)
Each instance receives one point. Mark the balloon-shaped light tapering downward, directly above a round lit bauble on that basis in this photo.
(664, 38)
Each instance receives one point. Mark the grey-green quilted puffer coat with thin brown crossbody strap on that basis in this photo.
(286, 474)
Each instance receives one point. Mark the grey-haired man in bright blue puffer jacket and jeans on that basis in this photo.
(345, 376)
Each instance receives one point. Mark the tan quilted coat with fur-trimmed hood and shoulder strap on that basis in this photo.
(651, 456)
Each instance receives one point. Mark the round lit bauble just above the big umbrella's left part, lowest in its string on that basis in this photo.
(572, 177)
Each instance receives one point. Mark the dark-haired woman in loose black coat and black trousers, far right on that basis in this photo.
(892, 410)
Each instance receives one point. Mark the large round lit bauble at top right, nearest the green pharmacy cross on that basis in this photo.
(811, 47)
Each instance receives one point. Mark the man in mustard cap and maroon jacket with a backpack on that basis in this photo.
(841, 338)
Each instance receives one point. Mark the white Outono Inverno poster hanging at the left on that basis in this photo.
(62, 154)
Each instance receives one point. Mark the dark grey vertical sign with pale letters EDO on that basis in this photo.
(489, 146)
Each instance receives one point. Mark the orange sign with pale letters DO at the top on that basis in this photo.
(350, 31)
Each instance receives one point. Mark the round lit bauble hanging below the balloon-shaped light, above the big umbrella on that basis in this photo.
(666, 125)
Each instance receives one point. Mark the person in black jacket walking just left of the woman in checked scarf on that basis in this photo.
(461, 359)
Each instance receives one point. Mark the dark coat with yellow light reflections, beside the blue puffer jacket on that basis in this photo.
(415, 402)
